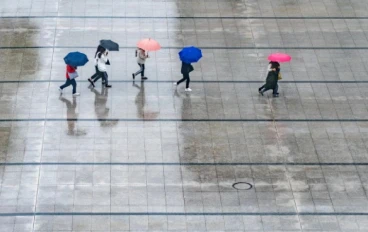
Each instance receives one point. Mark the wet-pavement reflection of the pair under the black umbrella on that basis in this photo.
(102, 112)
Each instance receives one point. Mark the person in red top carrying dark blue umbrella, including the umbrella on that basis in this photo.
(72, 60)
